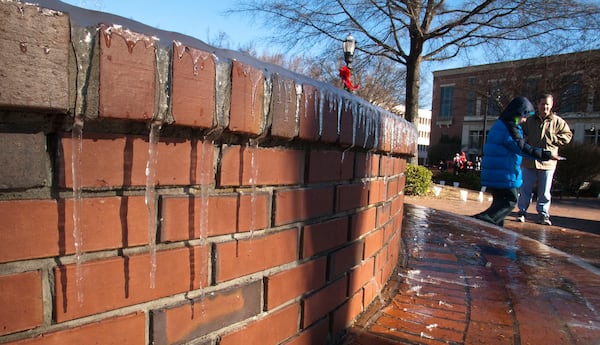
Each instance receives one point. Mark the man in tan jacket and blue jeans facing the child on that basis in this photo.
(547, 130)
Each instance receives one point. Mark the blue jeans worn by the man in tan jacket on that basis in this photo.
(544, 184)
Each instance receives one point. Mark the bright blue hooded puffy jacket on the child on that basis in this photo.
(505, 146)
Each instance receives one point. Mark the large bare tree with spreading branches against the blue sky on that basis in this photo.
(410, 32)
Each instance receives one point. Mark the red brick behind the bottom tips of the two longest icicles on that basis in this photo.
(117, 282)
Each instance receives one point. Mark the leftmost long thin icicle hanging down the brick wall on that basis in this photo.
(76, 156)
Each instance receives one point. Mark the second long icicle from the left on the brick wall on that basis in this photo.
(151, 195)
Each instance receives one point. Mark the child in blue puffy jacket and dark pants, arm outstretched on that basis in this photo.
(502, 156)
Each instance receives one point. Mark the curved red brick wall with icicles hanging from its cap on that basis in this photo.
(267, 221)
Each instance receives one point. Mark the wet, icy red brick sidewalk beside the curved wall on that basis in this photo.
(467, 282)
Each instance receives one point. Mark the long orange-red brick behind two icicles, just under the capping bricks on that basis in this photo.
(111, 160)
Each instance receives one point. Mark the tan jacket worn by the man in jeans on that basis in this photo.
(548, 133)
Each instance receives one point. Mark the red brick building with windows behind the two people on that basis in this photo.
(467, 101)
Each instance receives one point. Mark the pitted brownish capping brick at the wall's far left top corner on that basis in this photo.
(35, 49)
